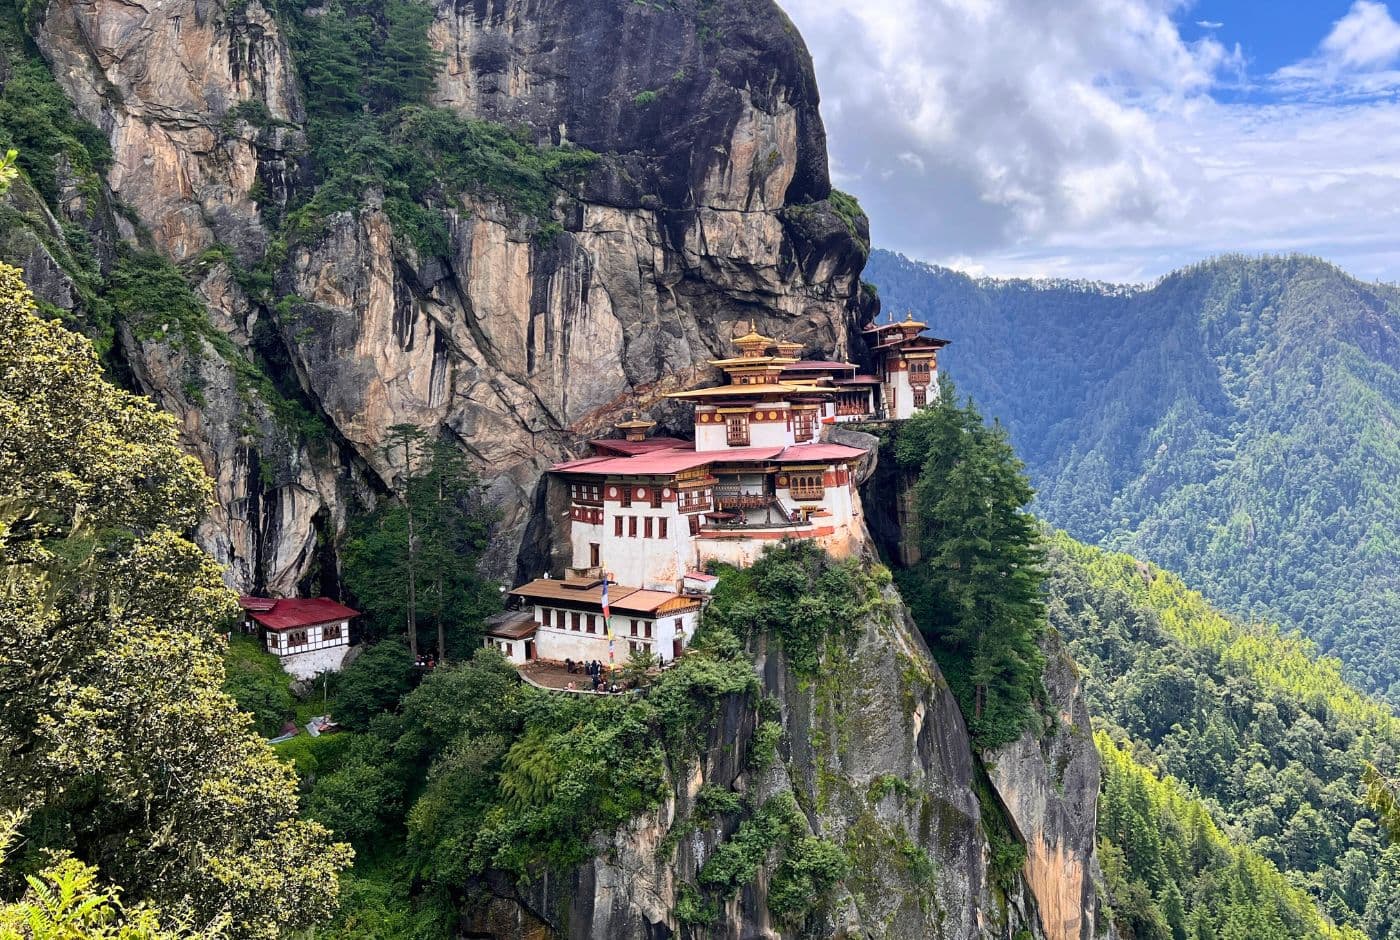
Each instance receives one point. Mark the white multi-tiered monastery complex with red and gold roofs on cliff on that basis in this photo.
(649, 513)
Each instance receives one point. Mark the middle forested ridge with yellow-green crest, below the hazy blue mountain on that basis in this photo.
(1259, 726)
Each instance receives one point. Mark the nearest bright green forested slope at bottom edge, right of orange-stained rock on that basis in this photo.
(1172, 873)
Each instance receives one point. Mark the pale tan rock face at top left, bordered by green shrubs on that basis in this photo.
(163, 81)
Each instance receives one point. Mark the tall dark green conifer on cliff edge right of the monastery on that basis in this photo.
(976, 589)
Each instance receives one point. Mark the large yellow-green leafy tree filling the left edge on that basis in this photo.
(115, 739)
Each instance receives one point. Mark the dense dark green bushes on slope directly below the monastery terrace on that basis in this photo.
(475, 771)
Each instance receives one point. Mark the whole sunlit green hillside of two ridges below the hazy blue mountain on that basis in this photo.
(1252, 731)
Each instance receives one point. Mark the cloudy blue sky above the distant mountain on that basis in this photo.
(1115, 139)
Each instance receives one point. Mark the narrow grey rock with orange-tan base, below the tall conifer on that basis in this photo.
(1049, 784)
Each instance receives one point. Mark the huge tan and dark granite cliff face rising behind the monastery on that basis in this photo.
(706, 209)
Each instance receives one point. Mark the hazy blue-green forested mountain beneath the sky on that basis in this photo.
(1237, 422)
